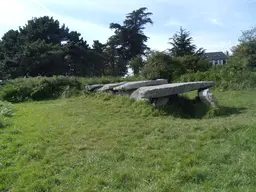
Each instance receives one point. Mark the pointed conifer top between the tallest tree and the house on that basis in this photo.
(182, 44)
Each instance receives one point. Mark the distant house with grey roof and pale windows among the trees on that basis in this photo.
(216, 58)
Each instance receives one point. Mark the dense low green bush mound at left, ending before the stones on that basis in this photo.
(39, 88)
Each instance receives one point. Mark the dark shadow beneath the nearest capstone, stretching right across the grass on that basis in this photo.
(183, 107)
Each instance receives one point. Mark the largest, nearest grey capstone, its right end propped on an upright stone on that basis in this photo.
(169, 89)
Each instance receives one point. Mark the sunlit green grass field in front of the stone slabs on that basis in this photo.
(105, 143)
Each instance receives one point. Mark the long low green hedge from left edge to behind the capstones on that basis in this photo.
(43, 88)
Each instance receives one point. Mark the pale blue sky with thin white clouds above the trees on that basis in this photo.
(214, 25)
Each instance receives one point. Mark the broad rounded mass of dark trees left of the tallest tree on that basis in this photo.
(43, 47)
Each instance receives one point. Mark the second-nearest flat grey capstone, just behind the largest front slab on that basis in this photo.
(137, 84)
